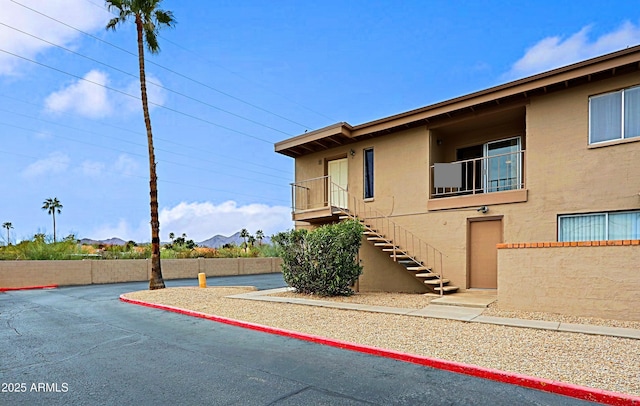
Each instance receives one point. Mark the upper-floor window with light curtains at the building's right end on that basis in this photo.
(615, 115)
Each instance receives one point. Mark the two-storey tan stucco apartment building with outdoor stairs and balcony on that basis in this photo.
(540, 199)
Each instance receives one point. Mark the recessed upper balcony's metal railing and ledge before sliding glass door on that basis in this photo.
(493, 179)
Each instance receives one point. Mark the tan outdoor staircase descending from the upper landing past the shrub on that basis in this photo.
(425, 273)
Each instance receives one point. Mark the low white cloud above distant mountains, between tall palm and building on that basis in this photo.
(201, 221)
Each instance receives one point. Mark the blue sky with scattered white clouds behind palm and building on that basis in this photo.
(236, 77)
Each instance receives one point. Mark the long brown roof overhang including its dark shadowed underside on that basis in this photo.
(512, 93)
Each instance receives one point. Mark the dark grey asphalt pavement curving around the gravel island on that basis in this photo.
(81, 345)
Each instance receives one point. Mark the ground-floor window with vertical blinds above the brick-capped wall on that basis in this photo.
(599, 226)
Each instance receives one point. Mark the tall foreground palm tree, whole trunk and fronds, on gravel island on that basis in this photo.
(148, 19)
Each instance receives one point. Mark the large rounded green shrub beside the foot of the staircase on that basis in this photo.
(322, 261)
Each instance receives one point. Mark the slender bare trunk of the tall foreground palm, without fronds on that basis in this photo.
(156, 281)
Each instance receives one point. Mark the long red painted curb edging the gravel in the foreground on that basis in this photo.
(546, 385)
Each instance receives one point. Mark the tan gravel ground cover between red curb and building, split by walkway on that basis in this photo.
(608, 363)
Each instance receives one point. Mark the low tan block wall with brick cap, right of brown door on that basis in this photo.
(591, 279)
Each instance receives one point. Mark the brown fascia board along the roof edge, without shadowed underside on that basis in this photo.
(520, 86)
